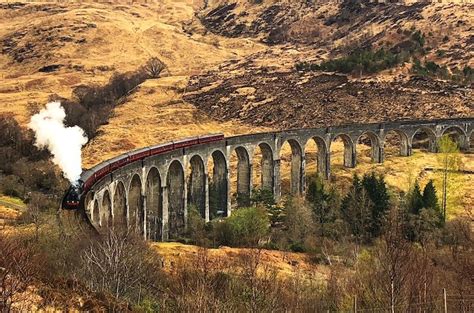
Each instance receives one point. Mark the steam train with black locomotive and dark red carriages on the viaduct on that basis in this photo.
(74, 197)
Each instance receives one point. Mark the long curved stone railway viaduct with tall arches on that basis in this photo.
(151, 189)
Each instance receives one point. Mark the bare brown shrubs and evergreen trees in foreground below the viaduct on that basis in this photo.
(385, 248)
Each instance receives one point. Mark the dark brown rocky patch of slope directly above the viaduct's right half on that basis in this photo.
(277, 99)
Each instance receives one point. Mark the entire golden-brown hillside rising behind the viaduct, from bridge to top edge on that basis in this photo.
(230, 61)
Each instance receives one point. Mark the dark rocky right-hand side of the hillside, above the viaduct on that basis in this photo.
(266, 89)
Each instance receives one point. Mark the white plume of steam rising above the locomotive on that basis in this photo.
(63, 142)
